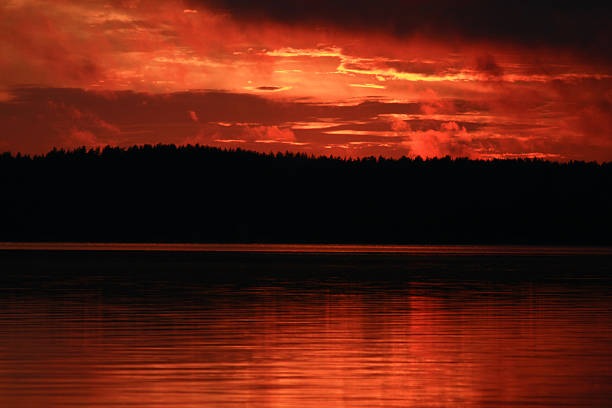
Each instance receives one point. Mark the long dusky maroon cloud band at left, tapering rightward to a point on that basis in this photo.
(209, 106)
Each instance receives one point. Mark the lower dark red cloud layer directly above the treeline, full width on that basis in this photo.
(575, 124)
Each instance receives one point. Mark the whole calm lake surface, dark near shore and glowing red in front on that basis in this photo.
(267, 326)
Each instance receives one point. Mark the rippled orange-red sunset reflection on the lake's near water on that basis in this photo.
(274, 347)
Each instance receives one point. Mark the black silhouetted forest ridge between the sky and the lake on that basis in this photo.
(166, 193)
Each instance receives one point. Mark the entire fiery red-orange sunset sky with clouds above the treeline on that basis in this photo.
(476, 79)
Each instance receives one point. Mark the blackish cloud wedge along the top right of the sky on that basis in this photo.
(580, 26)
